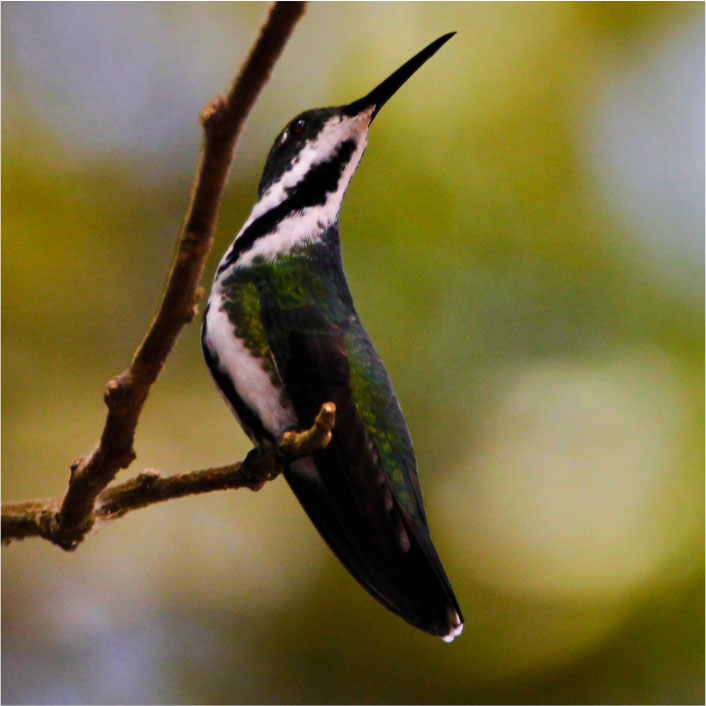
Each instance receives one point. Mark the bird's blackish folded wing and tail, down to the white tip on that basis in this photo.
(345, 488)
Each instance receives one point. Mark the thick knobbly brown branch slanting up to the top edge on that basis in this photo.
(67, 523)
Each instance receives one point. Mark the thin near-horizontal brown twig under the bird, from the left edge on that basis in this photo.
(33, 518)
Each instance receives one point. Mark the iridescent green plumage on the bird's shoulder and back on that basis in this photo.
(304, 280)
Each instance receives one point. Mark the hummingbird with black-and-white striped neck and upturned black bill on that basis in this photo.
(281, 337)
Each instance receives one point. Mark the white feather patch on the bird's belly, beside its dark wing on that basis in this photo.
(252, 382)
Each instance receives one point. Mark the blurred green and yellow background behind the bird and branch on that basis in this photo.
(524, 240)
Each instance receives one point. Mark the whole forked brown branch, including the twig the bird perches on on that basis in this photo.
(66, 521)
